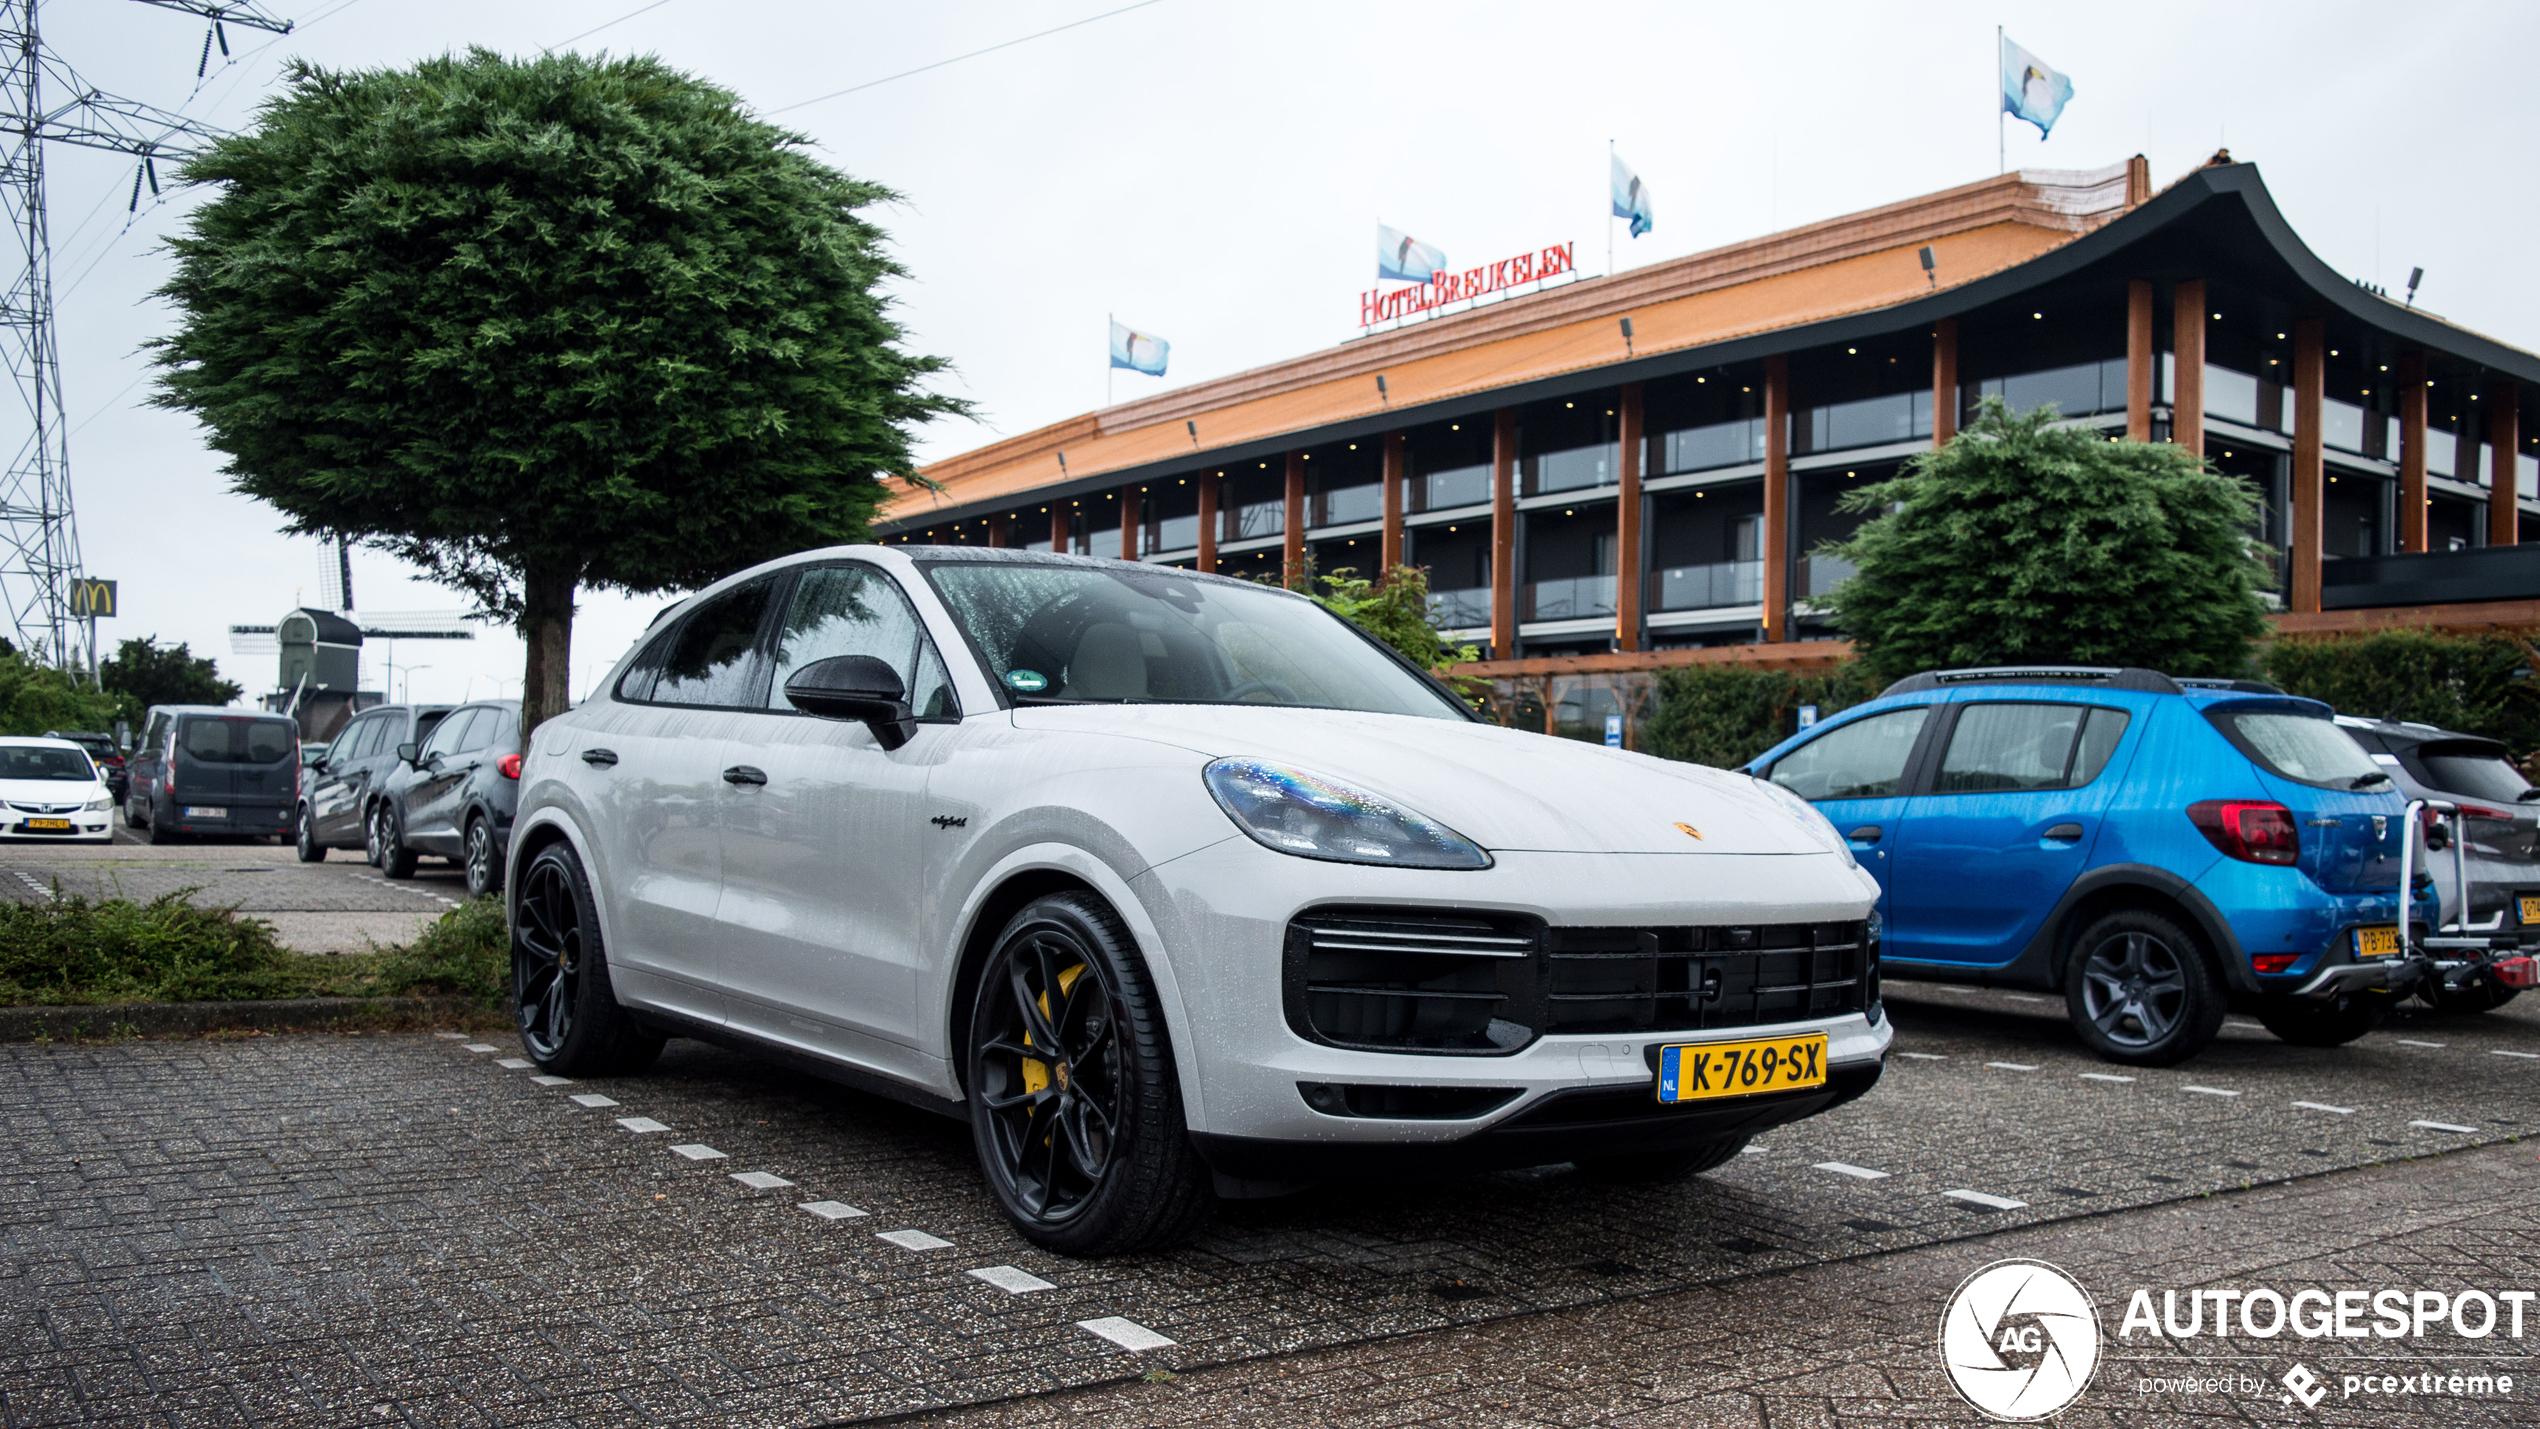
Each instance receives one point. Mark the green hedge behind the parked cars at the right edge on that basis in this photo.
(2475, 684)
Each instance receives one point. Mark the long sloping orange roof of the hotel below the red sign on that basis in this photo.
(1805, 275)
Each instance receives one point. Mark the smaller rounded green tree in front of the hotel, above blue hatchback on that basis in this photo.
(2033, 542)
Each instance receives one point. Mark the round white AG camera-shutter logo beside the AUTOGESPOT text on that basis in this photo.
(2021, 1341)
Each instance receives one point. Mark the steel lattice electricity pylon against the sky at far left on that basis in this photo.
(44, 103)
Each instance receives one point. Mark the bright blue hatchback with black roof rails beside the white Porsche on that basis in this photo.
(2158, 852)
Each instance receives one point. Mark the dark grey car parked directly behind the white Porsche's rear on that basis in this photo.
(453, 796)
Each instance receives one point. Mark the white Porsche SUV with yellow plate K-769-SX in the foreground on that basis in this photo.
(1175, 887)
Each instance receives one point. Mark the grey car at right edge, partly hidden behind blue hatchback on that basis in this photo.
(2501, 824)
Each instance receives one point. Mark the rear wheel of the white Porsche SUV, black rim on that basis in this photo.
(560, 976)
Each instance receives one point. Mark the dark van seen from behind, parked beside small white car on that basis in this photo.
(215, 770)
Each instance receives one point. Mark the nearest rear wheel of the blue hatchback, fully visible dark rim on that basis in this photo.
(2140, 991)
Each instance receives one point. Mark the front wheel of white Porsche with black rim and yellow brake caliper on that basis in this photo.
(1086, 1154)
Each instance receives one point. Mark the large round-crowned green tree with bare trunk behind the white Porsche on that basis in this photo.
(542, 326)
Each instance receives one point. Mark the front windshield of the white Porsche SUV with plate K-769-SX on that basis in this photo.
(1157, 636)
